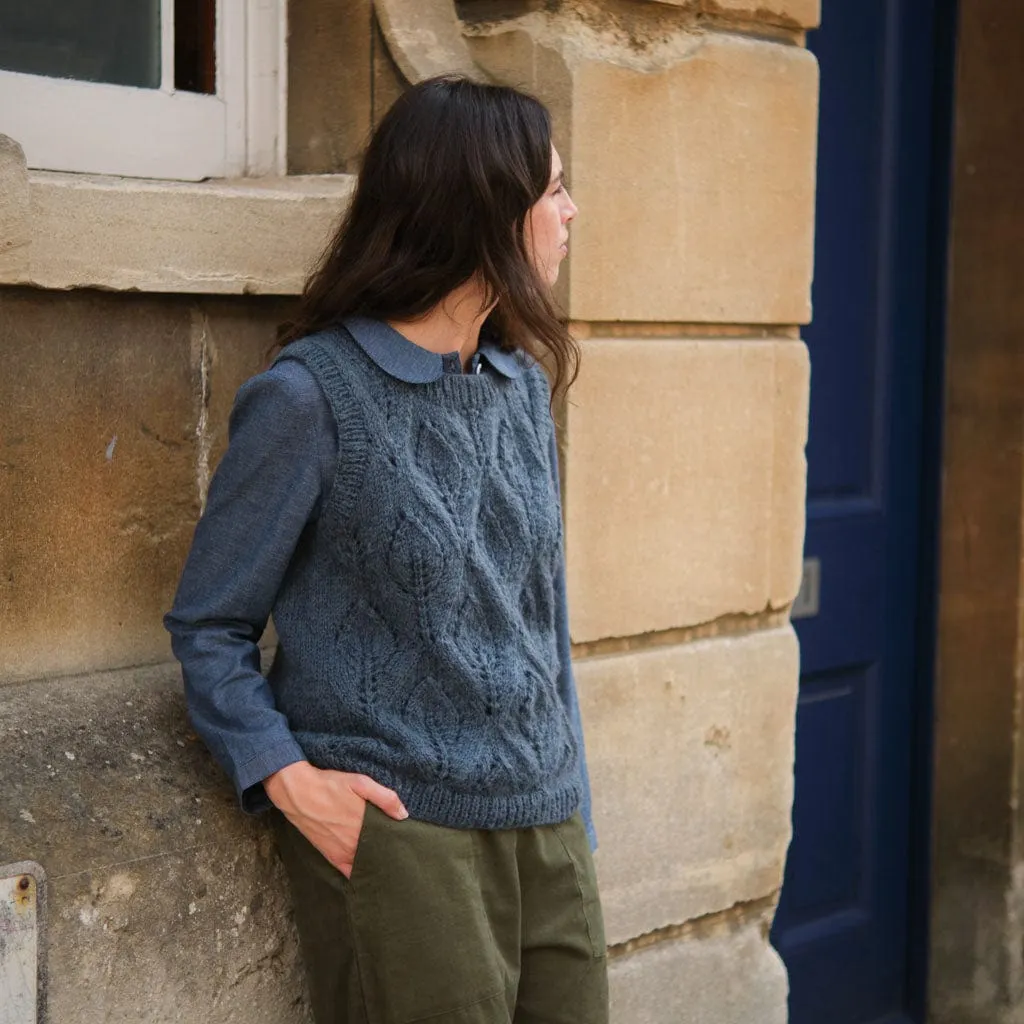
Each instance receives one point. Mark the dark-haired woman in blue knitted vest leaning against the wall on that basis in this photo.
(391, 494)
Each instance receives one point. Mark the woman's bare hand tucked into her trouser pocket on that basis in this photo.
(328, 807)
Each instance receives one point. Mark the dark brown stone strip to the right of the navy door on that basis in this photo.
(977, 974)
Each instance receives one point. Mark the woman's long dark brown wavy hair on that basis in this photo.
(444, 192)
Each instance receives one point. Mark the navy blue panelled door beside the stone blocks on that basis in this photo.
(844, 926)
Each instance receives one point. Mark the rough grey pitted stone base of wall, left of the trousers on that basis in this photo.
(165, 903)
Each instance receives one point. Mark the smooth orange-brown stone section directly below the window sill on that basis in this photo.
(115, 416)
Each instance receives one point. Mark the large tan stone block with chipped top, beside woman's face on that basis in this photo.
(692, 158)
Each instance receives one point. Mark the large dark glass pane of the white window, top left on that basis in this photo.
(116, 41)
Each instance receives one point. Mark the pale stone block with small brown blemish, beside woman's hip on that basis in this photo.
(691, 753)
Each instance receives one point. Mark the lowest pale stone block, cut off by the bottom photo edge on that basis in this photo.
(732, 976)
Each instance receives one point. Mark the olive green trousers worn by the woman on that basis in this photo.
(452, 926)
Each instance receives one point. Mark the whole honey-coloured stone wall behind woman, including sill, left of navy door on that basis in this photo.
(689, 134)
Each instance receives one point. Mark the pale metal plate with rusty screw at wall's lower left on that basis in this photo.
(21, 919)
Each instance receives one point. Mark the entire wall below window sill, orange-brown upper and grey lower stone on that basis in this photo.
(163, 904)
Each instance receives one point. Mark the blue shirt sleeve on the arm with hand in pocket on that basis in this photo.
(265, 494)
